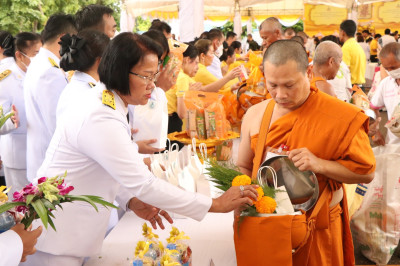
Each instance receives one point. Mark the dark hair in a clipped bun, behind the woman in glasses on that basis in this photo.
(83, 57)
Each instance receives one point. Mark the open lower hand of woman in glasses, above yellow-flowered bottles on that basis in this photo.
(149, 213)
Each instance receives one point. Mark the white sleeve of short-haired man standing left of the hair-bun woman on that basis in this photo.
(52, 83)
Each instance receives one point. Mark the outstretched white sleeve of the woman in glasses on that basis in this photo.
(118, 156)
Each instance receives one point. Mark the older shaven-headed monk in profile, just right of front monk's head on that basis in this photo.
(326, 64)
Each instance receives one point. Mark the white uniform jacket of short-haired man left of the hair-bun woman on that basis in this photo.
(42, 88)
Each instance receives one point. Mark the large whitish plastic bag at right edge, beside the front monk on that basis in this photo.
(376, 225)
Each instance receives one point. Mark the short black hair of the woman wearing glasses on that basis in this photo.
(124, 52)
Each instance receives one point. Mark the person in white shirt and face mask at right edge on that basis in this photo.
(388, 92)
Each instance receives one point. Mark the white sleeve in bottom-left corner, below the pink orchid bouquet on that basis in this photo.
(11, 248)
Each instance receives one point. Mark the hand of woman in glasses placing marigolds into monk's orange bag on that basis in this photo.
(235, 198)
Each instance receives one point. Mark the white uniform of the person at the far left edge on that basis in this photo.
(13, 143)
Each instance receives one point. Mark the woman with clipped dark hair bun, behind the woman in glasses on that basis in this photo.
(81, 54)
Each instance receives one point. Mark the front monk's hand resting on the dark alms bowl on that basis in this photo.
(306, 160)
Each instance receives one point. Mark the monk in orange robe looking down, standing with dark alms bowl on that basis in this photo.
(323, 135)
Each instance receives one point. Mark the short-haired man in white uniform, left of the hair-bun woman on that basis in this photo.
(43, 85)
